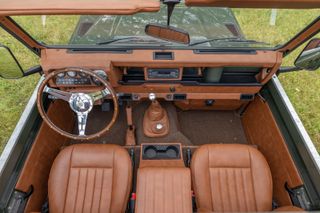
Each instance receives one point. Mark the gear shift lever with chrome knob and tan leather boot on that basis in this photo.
(155, 122)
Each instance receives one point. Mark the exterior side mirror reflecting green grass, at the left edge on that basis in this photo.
(9, 66)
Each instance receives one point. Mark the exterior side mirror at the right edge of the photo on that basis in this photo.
(309, 59)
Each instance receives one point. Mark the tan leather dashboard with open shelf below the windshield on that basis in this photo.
(117, 64)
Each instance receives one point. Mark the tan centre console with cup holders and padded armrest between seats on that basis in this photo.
(163, 179)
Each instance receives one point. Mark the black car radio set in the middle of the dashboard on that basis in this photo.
(163, 73)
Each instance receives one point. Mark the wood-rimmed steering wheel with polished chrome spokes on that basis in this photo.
(80, 103)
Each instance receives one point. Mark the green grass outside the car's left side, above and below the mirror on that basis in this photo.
(14, 94)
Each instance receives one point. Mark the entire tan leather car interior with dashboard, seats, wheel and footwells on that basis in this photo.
(189, 133)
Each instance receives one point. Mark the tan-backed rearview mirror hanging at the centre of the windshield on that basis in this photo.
(167, 33)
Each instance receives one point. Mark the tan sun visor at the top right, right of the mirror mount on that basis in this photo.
(288, 4)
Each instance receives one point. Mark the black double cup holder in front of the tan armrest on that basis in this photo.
(160, 152)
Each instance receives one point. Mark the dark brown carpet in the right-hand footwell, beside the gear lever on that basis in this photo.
(204, 127)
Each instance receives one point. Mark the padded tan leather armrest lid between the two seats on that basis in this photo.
(164, 189)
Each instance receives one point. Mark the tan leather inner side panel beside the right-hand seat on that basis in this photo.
(261, 129)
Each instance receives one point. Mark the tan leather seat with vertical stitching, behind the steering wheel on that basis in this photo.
(90, 178)
